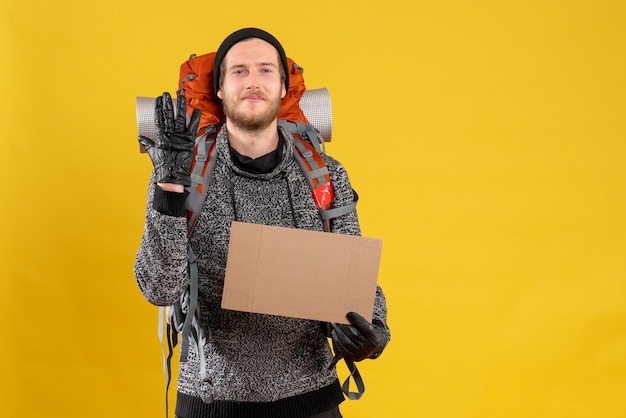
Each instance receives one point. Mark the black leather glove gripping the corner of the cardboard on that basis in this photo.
(358, 341)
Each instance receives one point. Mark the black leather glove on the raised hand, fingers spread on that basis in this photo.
(172, 151)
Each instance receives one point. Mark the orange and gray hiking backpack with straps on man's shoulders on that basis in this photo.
(196, 84)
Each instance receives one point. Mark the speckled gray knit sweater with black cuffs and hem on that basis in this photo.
(260, 365)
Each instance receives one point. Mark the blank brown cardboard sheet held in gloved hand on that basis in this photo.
(301, 274)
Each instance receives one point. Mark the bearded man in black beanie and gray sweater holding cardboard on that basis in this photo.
(258, 365)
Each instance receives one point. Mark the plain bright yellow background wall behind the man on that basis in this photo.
(485, 138)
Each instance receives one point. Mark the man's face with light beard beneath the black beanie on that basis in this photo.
(251, 89)
